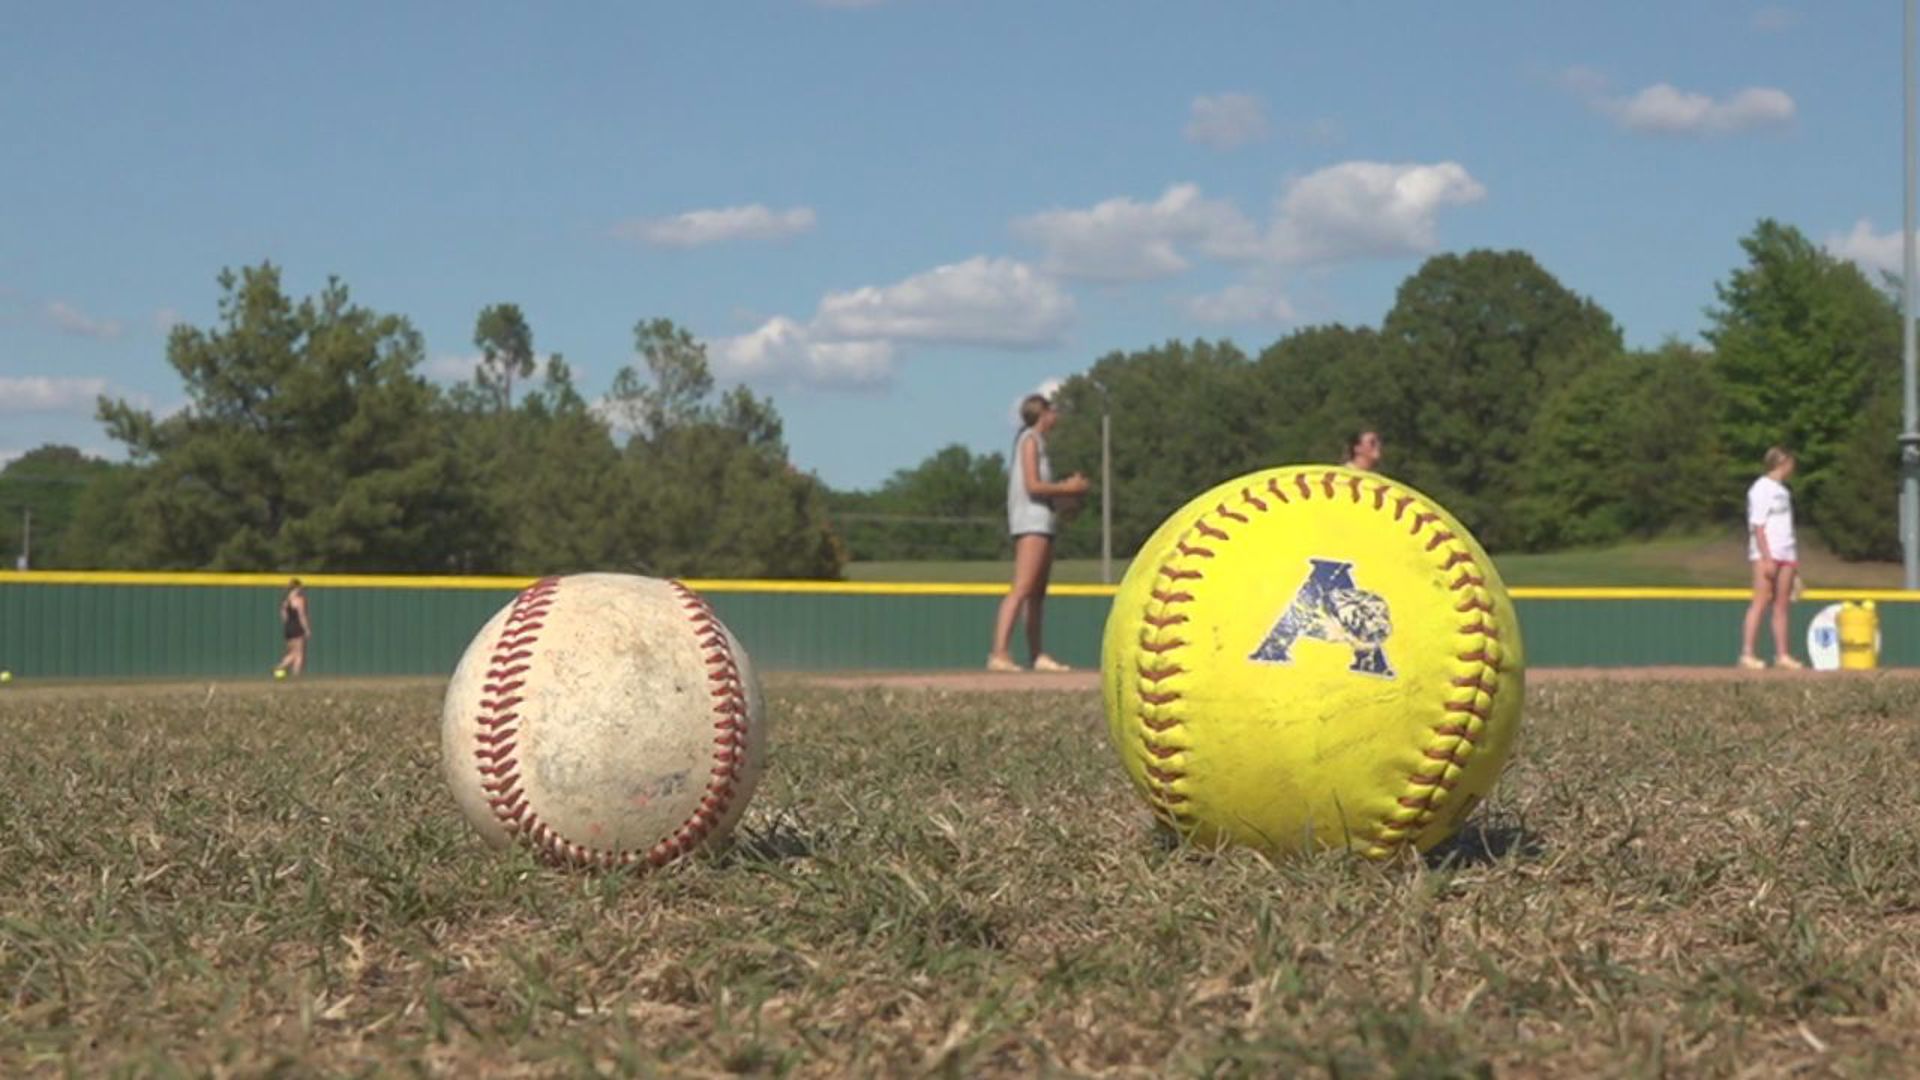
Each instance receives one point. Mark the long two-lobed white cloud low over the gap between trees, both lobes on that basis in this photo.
(855, 337)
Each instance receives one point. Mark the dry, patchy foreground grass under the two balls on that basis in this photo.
(251, 879)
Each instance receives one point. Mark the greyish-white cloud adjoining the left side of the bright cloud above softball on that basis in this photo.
(1122, 239)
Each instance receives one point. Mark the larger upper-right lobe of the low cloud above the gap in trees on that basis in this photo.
(978, 303)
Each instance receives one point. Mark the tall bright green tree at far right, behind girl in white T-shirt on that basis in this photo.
(1804, 345)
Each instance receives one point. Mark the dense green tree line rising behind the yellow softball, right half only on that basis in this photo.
(1508, 399)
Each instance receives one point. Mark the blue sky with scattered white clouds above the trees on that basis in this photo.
(898, 216)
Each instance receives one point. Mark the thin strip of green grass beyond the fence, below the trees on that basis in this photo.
(1689, 562)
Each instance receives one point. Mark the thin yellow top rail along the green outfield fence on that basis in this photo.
(836, 587)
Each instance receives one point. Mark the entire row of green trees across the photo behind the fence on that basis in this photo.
(312, 443)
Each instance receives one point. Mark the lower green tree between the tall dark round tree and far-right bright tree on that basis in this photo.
(1627, 451)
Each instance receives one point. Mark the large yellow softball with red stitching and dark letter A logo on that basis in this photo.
(1312, 658)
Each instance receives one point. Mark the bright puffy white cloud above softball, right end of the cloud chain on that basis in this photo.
(1368, 209)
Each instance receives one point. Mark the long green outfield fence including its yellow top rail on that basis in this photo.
(128, 626)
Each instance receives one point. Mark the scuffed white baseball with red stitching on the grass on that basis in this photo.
(604, 720)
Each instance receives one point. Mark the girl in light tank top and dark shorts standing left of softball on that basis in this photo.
(1032, 522)
